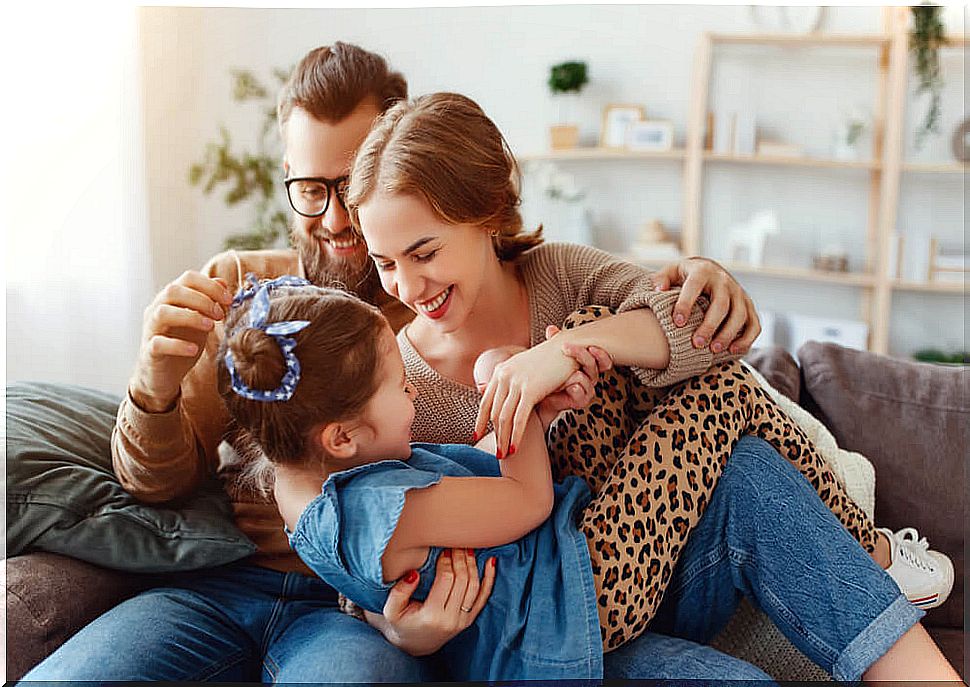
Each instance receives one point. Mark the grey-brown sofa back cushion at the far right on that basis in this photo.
(912, 420)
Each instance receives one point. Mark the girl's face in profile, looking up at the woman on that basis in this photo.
(386, 421)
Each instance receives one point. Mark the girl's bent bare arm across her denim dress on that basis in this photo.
(475, 512)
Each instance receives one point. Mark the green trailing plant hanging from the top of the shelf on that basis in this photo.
(926, 38)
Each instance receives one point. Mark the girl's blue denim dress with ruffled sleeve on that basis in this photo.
(540, 621)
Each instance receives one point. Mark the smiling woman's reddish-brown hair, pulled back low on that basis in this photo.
(444, 149)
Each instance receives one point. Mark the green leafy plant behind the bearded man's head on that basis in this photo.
(250, 177)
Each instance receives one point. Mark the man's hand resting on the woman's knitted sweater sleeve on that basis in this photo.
(731, 322)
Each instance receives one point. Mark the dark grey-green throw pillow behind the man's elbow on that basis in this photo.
(63, 497)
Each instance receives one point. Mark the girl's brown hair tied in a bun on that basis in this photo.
(339, 355)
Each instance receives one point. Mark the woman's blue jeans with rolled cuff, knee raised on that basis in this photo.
(768, 536)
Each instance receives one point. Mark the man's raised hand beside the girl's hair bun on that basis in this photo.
(174, 330)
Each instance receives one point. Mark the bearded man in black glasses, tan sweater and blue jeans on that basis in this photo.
(268, 618)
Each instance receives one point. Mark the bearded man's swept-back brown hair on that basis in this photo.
(331, 81)
